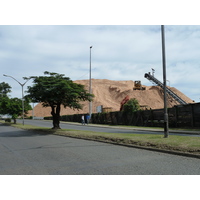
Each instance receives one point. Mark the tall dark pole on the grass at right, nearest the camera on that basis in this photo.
(166, 124)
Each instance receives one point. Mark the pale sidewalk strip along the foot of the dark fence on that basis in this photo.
(138, 128)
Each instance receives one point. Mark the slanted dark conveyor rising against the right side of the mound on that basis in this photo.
(170, 92)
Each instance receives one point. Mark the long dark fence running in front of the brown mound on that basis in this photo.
(185, 116)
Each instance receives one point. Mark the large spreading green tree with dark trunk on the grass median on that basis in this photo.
(55, 90)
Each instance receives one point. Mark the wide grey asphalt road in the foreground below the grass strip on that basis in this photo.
(25, 152)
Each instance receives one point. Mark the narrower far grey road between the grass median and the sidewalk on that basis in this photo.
(97, 128)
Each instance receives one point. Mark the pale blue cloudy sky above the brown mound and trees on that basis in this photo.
(119, 52)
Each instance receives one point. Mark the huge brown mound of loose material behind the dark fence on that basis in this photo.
(110, 93)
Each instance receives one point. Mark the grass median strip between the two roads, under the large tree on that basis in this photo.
(184, 144)
